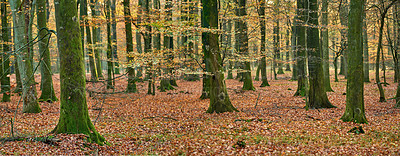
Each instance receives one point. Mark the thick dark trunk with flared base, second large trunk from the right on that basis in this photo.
(317, 97)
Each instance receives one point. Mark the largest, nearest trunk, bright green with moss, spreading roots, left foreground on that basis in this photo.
(74, 116)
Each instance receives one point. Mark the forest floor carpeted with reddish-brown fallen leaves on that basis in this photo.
(271, 121)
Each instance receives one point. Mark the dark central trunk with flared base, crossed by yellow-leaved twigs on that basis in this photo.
(219, 98)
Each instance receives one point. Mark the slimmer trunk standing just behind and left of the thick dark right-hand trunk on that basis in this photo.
(300, 48)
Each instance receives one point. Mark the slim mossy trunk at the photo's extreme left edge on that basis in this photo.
(5, 56)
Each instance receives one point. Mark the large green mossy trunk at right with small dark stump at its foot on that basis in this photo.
(355, 86)
